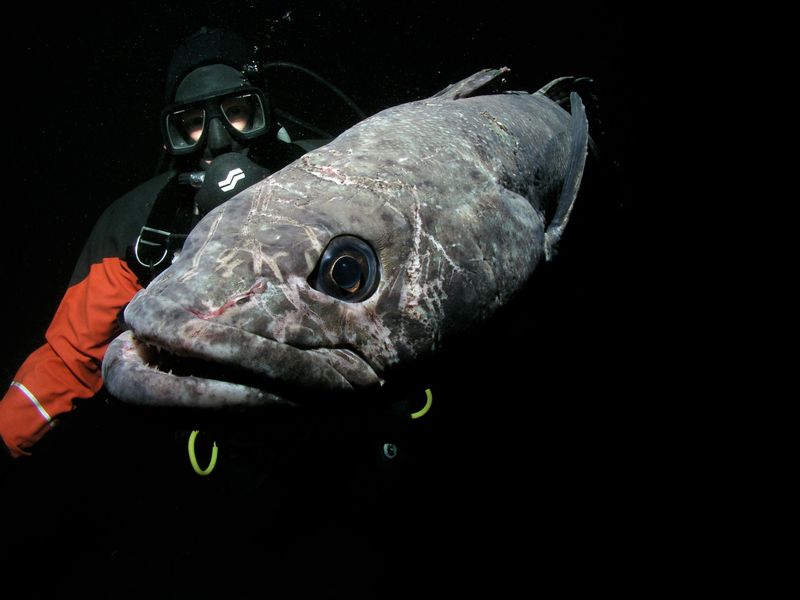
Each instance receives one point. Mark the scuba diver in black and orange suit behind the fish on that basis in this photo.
(221, 135)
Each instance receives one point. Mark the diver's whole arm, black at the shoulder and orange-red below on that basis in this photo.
(67, 366)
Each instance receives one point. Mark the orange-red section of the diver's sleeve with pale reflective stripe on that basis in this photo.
(67, 366)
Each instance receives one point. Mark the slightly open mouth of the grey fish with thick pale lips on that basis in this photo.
(150, 372)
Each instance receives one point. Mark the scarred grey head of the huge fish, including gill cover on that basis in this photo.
(320, 280)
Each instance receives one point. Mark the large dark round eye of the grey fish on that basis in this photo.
(348, 270)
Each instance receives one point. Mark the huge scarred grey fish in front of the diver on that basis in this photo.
(360, 257)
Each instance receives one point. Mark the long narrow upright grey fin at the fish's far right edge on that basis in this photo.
(579, 131)
